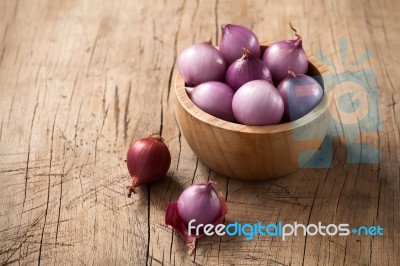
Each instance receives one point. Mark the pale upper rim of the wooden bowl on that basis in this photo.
(204, 117)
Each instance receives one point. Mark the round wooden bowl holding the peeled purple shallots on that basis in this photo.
(253, 152)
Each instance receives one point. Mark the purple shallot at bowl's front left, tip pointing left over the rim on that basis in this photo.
(214, 98)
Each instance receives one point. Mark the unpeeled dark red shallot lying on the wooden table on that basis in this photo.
(148, 160)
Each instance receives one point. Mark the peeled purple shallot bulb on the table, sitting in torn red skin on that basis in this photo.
(199, 202)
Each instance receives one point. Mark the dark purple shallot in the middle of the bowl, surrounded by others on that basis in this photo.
(245, 69)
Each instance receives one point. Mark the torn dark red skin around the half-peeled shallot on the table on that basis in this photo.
(173, 218)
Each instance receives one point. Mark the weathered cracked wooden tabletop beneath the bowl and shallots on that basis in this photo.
(80, 80)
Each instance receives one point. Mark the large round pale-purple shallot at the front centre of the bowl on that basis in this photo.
(257, 103)
